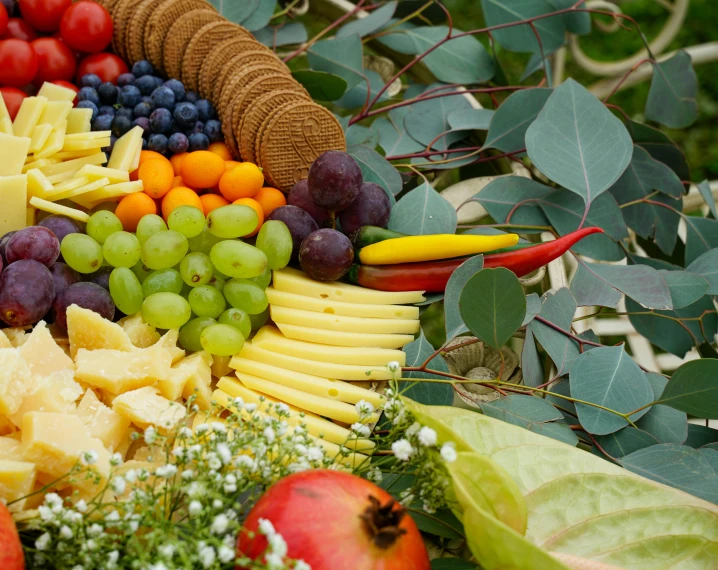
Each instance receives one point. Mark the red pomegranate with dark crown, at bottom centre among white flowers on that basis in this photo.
(335, 520)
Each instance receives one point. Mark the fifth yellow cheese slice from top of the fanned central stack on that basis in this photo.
(270, 338)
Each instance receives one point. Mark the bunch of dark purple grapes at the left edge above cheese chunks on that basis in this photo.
(35, 284)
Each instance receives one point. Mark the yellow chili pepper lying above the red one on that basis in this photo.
(428, 248)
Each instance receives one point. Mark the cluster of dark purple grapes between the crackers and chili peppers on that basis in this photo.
(334, 191)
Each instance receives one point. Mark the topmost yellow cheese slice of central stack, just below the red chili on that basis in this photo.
(294, 281)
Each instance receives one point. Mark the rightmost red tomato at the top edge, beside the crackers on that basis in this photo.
(86, 27)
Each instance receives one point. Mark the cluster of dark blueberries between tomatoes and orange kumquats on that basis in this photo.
(173, 120)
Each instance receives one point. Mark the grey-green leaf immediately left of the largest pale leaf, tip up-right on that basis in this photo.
(507, 130)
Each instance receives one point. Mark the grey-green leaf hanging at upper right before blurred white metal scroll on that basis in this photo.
(672, 96)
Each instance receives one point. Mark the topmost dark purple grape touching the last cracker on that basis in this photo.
(334, 180)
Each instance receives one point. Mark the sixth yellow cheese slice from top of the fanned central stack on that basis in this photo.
(323, 369)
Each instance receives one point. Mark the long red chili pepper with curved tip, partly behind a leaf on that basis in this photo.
(432, 276)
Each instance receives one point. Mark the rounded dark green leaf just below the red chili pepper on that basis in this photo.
(492, 305)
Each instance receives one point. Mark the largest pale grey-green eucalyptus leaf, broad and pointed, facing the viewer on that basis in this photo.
(578, 143)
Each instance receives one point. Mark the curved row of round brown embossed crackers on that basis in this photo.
(267, 117)
